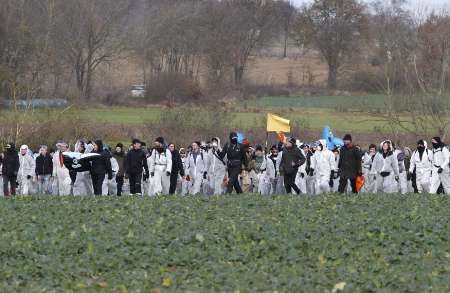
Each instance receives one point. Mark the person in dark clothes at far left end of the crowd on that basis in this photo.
(10, 168)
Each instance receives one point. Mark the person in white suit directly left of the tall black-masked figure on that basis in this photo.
(217, 167)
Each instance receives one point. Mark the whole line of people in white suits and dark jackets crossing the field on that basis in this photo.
(209, 168)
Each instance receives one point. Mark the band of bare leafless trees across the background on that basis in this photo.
(46, 45)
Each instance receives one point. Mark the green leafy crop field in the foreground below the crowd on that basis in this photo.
(242, 243)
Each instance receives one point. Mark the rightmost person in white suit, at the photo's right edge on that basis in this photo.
(440, 168)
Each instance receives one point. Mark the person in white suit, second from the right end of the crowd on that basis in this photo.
(421, 165)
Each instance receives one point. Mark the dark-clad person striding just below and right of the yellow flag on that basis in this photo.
(291, 159)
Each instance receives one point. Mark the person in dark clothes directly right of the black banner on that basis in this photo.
(100, 167)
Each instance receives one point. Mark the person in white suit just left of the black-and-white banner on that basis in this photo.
(60, 172)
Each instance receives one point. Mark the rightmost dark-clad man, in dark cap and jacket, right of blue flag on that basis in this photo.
(349, 165)
